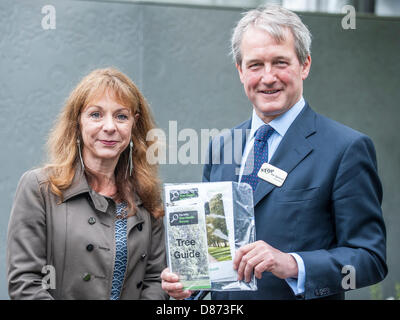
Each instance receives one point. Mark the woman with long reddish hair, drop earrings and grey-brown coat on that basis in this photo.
(88, 224)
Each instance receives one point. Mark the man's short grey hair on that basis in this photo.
(275, 20)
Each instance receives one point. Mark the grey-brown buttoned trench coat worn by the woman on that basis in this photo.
(76, 237)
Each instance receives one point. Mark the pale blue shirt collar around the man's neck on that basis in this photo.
(280, 124)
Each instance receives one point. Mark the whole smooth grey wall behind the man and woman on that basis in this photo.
(178, 56)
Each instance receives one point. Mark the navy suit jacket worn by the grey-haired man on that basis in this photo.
(328, 210)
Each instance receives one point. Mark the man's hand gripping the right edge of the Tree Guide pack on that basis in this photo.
(258, 257)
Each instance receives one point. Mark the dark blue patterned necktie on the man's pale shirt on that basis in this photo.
(260, 154)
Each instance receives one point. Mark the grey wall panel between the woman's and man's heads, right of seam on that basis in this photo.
(188, 76)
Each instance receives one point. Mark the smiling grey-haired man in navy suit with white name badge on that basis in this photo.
(325, 219)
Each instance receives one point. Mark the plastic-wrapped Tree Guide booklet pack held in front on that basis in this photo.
(200, 225)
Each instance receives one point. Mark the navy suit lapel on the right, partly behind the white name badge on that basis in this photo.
(293, 148)
